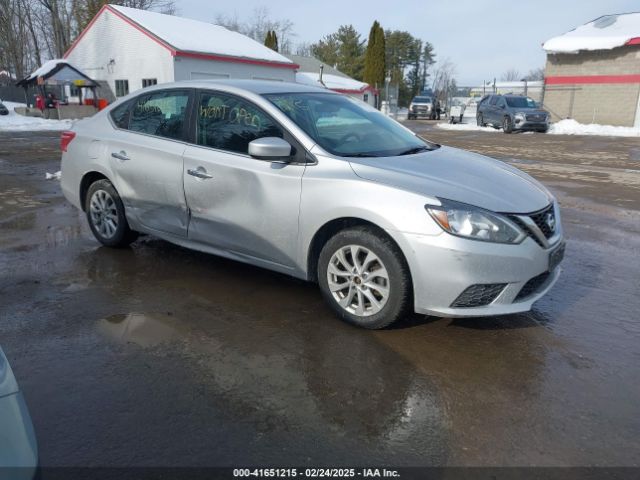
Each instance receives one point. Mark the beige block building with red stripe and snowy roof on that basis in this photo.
(593, 72)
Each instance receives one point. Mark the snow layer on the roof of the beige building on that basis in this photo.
(604, 33)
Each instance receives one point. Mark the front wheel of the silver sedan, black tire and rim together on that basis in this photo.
(363, 276)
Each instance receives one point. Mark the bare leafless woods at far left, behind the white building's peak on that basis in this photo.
(34, 31)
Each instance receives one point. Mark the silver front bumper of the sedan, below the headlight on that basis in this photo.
(444, 266)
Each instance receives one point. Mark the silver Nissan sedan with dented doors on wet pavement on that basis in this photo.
(321, 187)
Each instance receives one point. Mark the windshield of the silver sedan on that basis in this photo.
(346, 127)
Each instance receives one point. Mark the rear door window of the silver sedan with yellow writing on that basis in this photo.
(161, 113)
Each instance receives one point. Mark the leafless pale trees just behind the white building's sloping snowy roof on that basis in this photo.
(258, 25)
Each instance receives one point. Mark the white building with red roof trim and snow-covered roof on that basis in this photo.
(130, 49)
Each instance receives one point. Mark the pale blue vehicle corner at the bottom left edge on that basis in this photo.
(18, 447)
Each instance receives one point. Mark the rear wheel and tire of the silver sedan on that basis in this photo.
(105, 213)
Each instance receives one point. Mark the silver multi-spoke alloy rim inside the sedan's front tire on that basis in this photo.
(358, 280)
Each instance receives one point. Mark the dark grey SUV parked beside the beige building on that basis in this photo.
(512, 112)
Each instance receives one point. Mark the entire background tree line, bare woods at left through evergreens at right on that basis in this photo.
(33, 31)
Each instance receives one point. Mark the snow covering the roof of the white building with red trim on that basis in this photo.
(189, 35)
